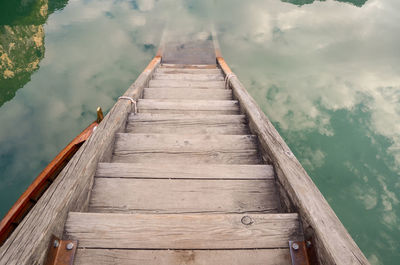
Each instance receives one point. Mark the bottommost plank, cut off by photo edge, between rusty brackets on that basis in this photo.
(183, 257)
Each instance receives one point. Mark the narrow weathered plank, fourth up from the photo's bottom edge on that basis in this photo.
(185, 171)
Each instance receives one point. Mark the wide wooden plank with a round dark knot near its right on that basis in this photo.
(182, 231)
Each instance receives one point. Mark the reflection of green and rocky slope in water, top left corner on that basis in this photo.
(22, 41)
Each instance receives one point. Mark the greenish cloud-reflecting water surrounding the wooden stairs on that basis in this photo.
(327, 73)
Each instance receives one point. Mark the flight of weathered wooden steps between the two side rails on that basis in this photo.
(186, 183)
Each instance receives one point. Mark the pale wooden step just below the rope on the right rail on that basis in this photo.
(192, 93)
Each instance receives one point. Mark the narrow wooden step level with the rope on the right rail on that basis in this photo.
(188, 84)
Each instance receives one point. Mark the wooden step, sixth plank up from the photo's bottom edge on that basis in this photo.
(187, 124)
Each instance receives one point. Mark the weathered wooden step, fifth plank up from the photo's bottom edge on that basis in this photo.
(177, 148)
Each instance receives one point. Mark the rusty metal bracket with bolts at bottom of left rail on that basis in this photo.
(61, 252)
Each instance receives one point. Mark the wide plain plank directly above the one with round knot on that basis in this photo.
(183, 196)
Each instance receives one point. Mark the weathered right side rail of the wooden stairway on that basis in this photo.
(333, 242)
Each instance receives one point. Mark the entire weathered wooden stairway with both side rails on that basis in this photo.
(184, 169)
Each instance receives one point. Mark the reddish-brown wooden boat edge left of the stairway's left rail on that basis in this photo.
(32, 194)
